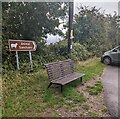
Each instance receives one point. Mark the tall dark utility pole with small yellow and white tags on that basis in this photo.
(70, 29)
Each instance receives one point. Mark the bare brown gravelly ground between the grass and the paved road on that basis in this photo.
(93, 107)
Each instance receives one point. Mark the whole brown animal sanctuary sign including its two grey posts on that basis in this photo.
(22, 45)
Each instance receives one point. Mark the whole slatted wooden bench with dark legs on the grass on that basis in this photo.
(62, 72)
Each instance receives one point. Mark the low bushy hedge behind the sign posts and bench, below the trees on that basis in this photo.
(43, 55)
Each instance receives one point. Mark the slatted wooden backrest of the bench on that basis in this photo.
(59, 69)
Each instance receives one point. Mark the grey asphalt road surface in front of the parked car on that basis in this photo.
(110, 83)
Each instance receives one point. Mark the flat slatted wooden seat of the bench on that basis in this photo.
(68, 78)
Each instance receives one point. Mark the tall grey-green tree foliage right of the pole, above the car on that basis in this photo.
(95, 30)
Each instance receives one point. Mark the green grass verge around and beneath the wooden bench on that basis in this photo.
(27, 94)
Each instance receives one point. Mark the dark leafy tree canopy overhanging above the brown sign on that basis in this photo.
(32, 20)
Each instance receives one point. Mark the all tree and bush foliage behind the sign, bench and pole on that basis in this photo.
(94, 32)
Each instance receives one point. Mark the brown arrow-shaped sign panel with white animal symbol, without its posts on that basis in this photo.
(21, 45)
